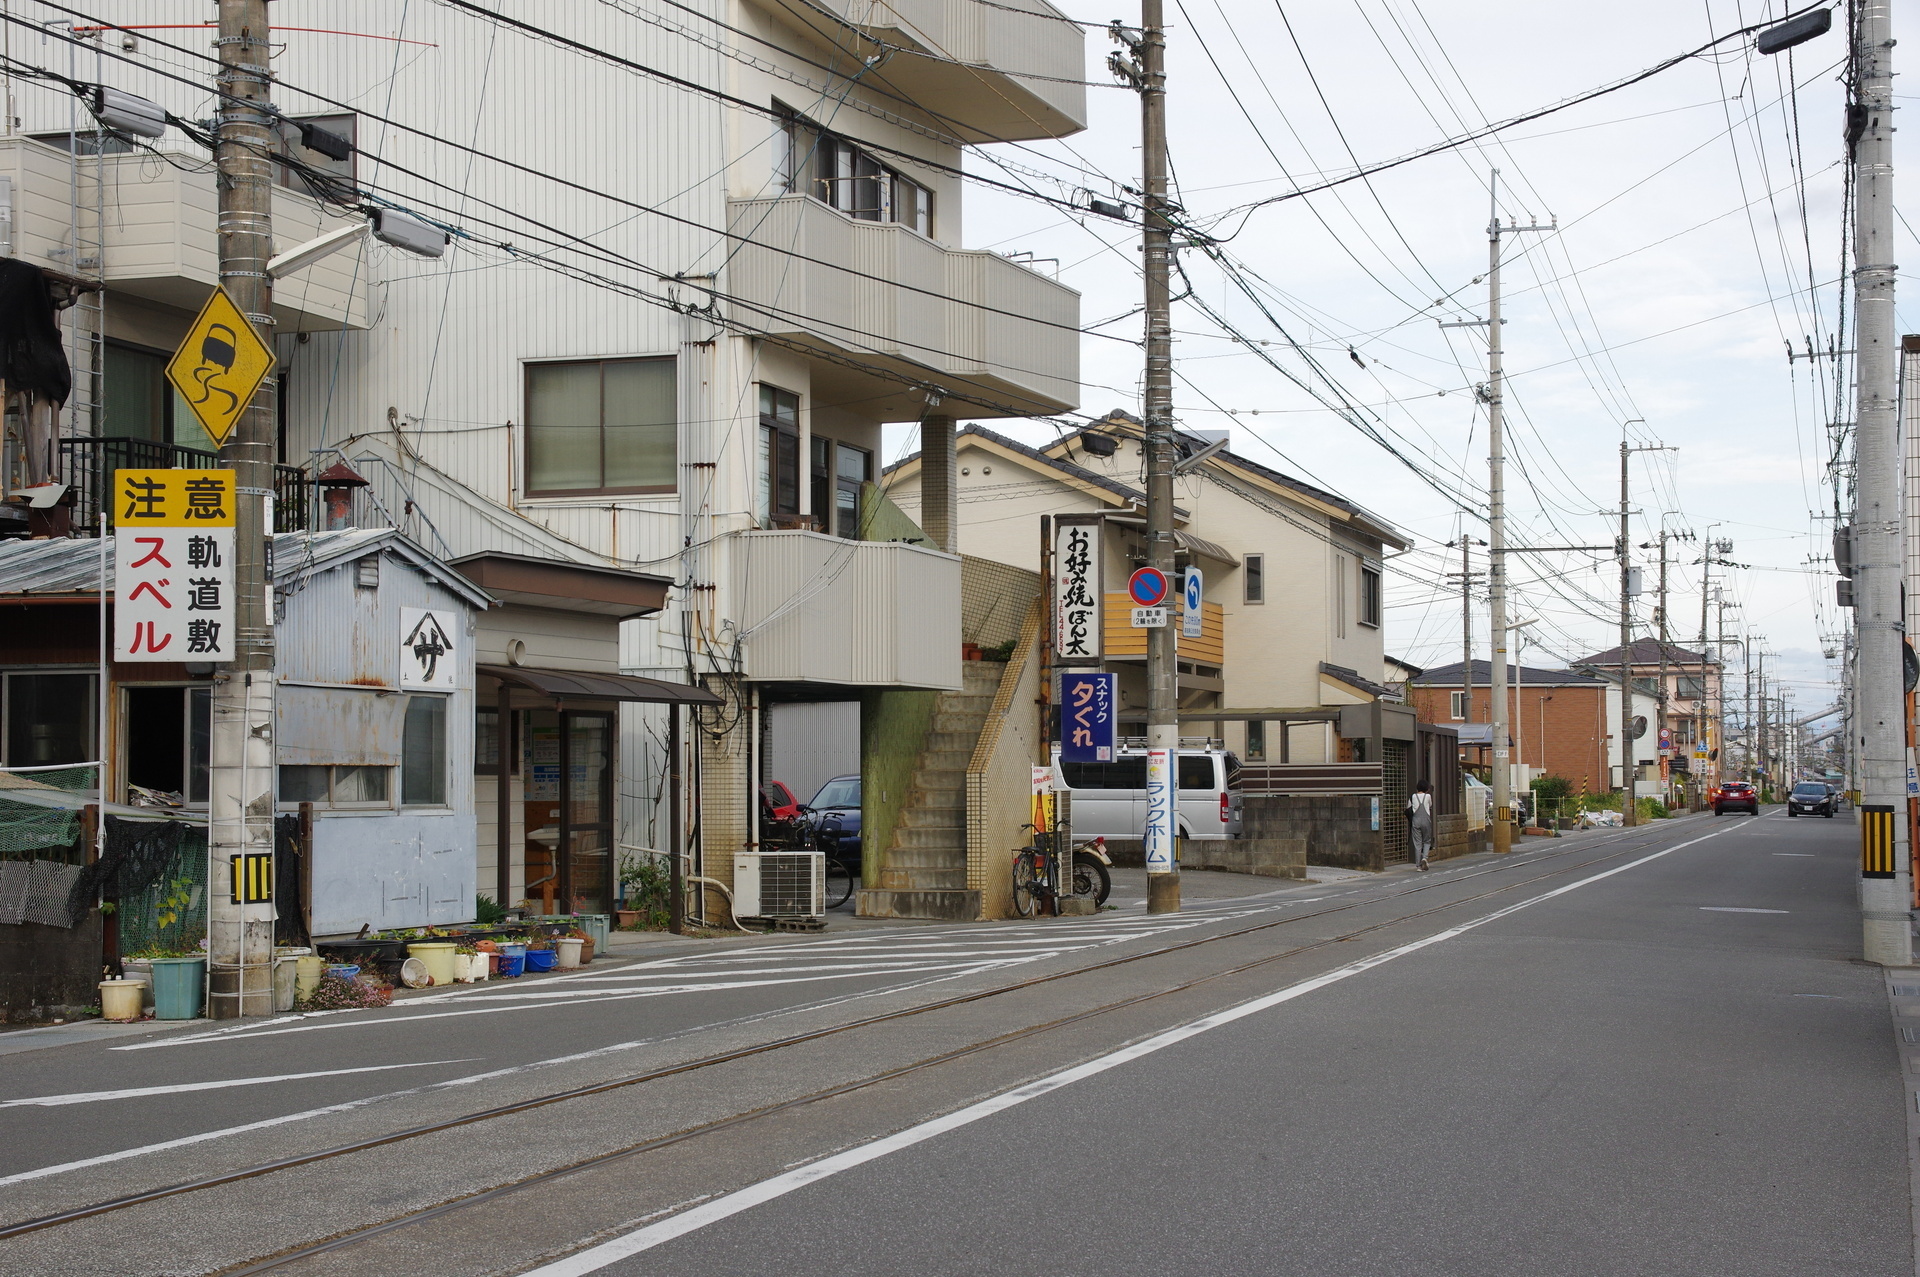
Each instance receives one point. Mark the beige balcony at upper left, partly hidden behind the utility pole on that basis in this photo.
(160, 233)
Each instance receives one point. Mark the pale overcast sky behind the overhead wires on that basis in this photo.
(1669, 293)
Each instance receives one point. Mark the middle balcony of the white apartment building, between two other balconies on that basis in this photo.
(972, 324)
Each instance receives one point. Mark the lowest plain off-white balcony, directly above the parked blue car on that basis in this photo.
(821, 610)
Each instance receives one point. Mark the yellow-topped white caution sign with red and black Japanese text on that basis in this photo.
(174, 566)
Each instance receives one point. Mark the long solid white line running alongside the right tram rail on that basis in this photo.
(746, 1199)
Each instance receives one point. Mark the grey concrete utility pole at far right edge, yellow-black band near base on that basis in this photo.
(1886, 882)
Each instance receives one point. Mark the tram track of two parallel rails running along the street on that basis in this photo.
(1621, 844)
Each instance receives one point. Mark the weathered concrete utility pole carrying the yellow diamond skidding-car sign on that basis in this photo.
(243, 765)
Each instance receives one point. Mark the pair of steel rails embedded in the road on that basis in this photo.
(796, 1040)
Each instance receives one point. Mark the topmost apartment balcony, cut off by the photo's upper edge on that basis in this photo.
(982, 72)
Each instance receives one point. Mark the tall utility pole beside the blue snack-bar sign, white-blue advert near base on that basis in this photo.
(1163, 694)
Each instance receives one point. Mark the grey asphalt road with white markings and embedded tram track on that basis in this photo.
(1575, 1061)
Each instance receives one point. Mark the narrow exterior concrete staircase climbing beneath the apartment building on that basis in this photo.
(924, 871)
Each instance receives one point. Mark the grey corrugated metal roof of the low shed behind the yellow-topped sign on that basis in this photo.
(72, 566)
